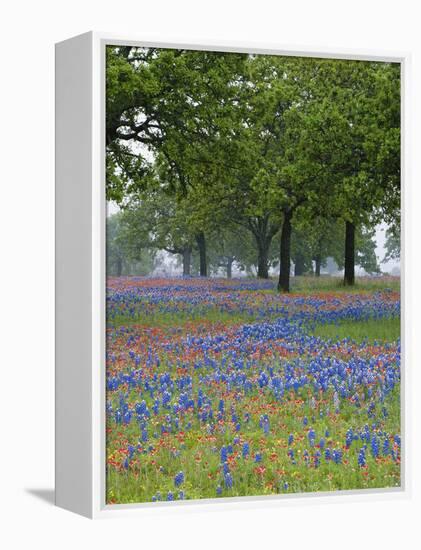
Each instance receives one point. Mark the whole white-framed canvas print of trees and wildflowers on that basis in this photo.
(228, 249)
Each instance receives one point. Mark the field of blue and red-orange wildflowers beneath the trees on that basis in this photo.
(219, 388)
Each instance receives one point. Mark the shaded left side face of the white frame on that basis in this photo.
(73, 384)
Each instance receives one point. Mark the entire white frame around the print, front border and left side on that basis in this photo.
(80, 278)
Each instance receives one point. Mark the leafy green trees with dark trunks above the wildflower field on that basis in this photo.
(255, 161)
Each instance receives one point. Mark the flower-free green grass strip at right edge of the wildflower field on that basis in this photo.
(384, 330)
